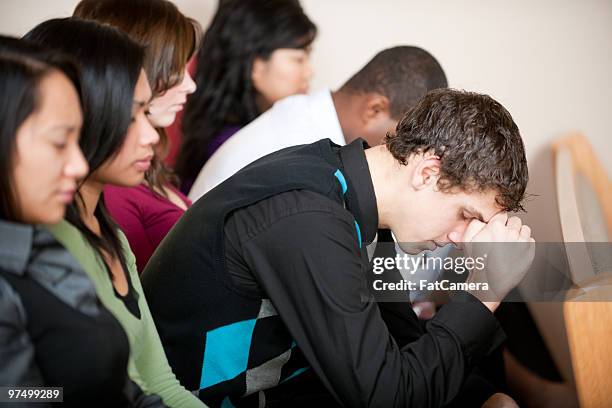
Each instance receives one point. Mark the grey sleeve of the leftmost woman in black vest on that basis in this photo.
(18, 367)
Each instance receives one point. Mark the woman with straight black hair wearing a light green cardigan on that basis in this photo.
(117, 141)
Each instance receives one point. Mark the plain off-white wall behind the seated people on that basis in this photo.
(548, 61)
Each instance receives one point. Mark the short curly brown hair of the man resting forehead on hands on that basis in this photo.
(479, 145)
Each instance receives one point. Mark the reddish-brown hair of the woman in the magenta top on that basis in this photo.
(169, 39)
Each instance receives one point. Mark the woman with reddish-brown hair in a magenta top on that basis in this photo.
(146, 212)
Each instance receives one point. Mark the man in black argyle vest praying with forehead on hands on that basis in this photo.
(263, 282)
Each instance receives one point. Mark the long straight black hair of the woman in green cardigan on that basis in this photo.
(110, 65)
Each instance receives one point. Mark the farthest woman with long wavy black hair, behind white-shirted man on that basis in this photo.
(254, 53)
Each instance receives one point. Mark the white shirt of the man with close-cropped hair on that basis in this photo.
(295, 120)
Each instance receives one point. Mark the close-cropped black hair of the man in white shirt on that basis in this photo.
(404, 74)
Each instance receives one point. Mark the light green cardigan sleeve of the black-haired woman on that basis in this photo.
(151, 363)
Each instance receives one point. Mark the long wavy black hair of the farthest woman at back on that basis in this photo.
(241, 31)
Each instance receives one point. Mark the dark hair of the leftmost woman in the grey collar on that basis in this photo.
(23, 66)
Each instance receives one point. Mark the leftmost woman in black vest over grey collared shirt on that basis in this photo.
(51, 322)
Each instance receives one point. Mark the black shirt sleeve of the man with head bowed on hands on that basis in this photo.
(310, 266)
